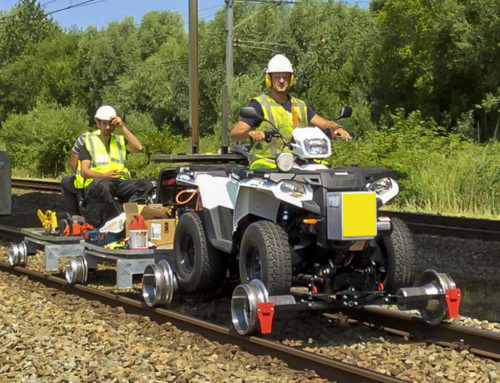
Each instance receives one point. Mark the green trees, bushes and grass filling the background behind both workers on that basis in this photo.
(422, 77)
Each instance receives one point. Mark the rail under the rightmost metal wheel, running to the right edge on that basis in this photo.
(479, 342)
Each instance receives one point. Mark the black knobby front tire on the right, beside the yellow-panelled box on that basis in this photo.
(400, 252)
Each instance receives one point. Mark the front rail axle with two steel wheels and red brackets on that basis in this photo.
(435, 295)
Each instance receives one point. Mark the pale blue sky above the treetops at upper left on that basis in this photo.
(101, 12)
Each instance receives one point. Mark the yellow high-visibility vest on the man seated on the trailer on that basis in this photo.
(101, 161)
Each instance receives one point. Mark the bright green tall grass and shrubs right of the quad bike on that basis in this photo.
(439, 172)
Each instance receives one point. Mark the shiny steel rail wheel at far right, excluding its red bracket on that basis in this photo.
(436, 309)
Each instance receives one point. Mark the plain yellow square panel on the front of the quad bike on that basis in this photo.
(359, 214)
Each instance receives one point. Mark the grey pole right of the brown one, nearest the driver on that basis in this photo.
(229, 75)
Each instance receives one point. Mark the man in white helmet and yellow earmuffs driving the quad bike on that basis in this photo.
(283, 111)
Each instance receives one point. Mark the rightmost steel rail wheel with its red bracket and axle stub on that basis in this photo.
(443, 296)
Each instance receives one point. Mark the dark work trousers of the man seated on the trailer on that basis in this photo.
(109, 194)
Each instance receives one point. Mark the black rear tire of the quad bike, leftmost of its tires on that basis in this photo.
(197, 264)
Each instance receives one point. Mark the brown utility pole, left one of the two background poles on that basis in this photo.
(194, 117)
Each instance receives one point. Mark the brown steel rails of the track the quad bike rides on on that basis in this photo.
(482, 343)
